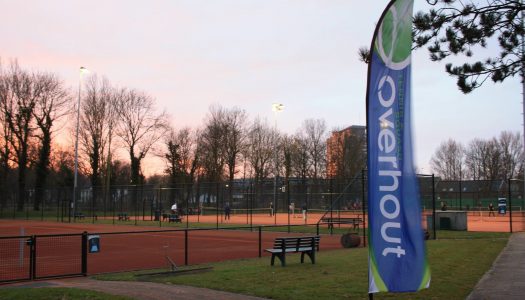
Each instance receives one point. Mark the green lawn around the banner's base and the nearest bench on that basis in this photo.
(456, 264)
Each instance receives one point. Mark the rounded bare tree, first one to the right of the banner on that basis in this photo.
(447, 161)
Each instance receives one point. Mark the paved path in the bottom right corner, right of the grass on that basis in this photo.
(506, 277)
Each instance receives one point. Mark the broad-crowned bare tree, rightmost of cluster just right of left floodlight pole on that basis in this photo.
(140, 127)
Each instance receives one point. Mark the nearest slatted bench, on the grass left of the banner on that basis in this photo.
(304, 244)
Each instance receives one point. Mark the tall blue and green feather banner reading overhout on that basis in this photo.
(397, 253)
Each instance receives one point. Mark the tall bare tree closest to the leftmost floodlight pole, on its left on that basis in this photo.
(53, 103)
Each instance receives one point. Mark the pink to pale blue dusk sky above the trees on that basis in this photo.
(190, 54)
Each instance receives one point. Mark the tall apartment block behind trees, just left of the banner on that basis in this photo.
(344, 149)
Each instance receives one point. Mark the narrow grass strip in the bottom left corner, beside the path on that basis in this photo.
(54, 293)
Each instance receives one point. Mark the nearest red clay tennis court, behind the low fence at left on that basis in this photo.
(135, 249)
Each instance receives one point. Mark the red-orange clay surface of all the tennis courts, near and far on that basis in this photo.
(133, 251)
